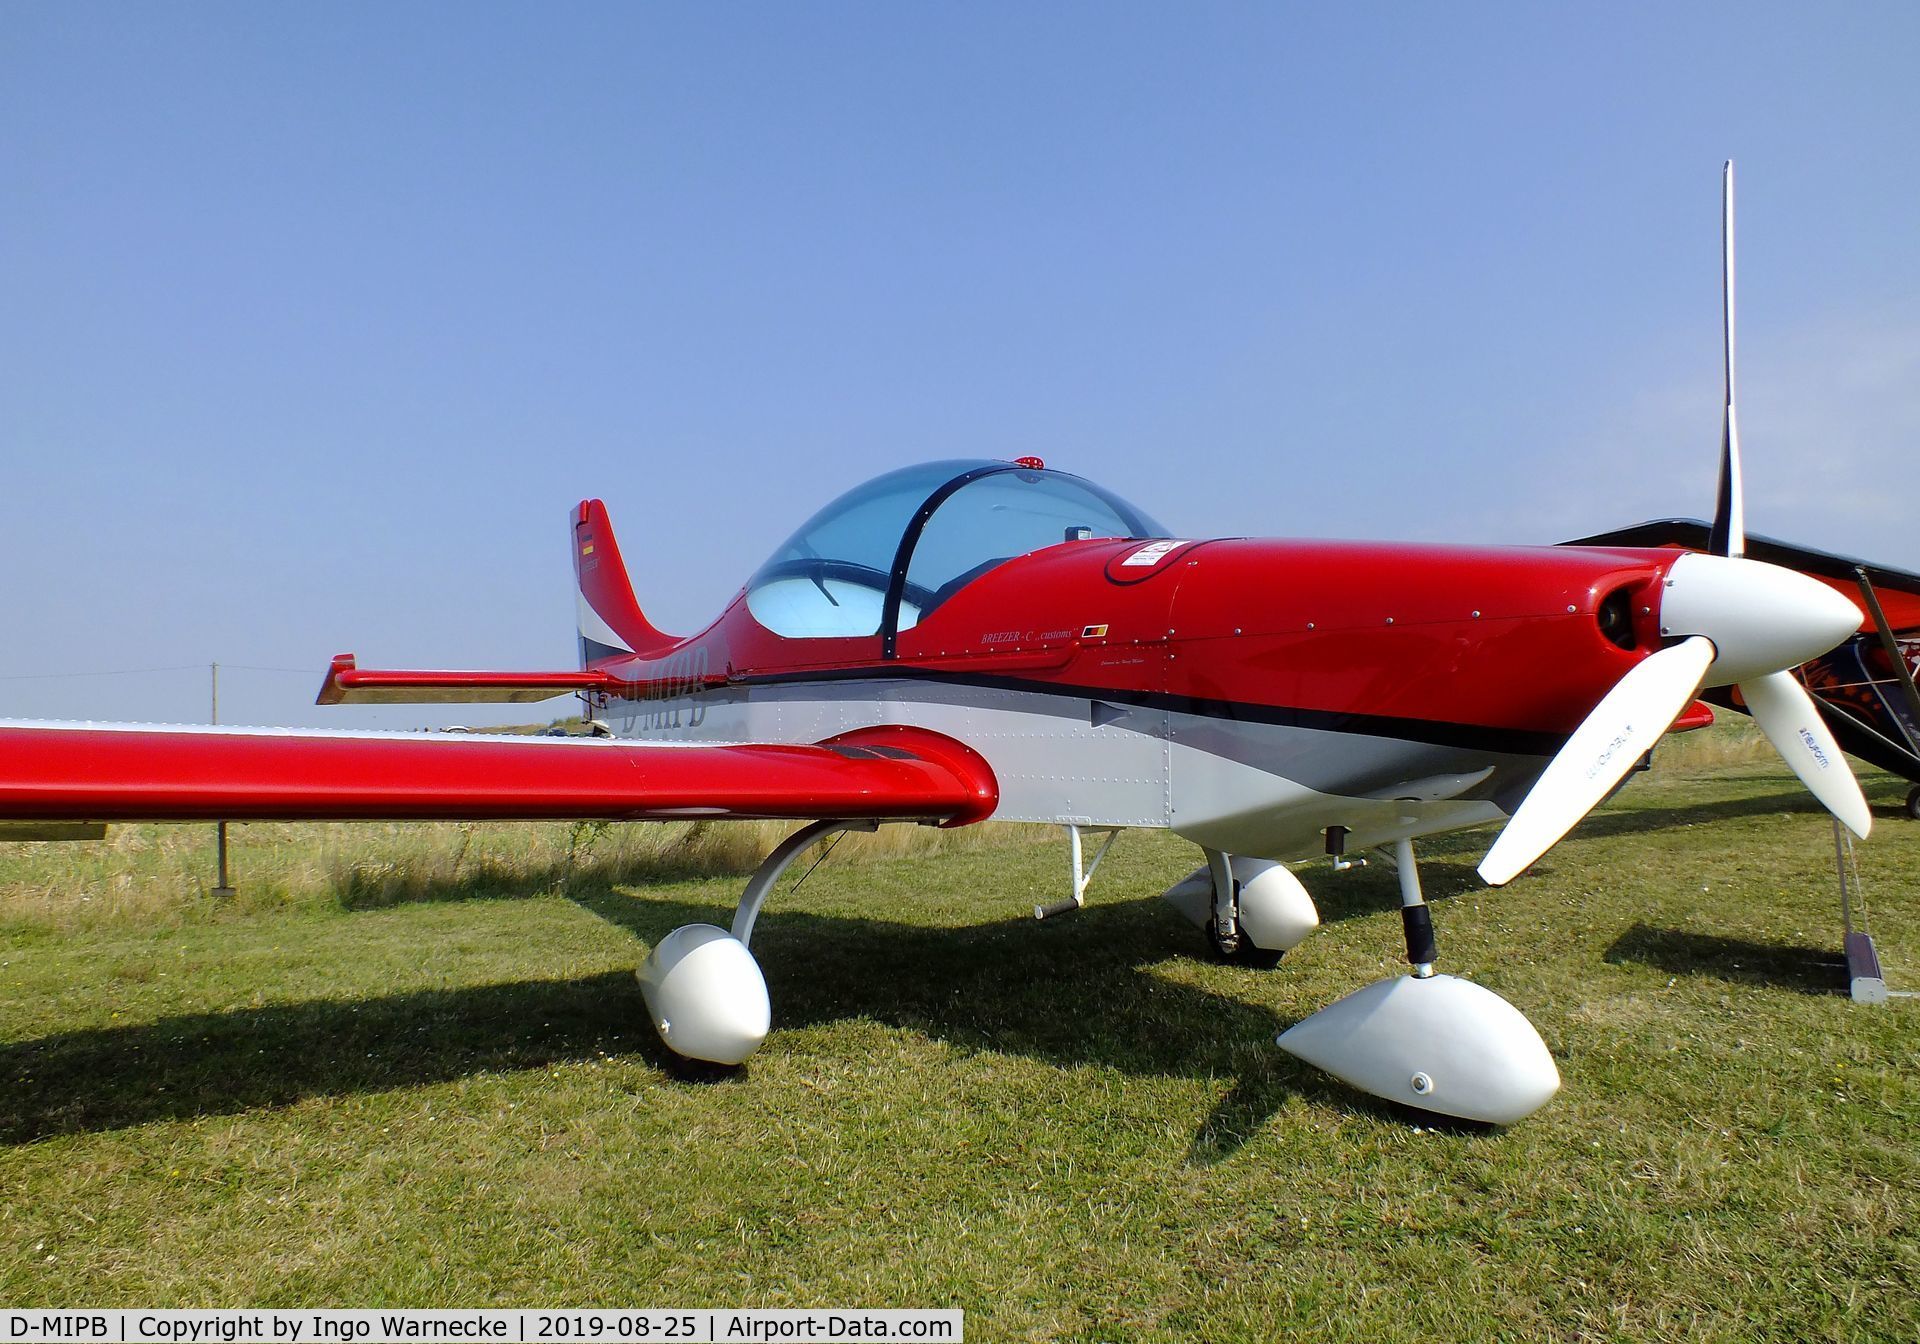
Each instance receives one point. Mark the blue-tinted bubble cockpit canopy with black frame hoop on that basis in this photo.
(884, 556)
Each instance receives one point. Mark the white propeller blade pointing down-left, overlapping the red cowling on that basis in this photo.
(1616, 736)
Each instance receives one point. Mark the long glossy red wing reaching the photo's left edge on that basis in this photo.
(108, 773)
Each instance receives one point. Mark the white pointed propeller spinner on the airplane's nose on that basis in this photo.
(1762, 617)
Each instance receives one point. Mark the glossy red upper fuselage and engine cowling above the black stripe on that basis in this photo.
(1497, 646)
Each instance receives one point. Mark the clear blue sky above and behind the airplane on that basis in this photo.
(316, 322)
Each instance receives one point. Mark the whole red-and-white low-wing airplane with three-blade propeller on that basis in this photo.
(976, 640)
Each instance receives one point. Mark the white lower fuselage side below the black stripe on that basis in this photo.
(1247, 788)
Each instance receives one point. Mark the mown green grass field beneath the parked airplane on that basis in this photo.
(410, 1067)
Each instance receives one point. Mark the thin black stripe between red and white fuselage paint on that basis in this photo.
(1514, 742)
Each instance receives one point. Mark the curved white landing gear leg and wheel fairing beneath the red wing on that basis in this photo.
(702, 984)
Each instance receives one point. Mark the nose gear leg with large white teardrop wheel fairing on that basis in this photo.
(1431, 1042)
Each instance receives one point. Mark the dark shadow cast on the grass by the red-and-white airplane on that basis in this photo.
(1074, 992)
